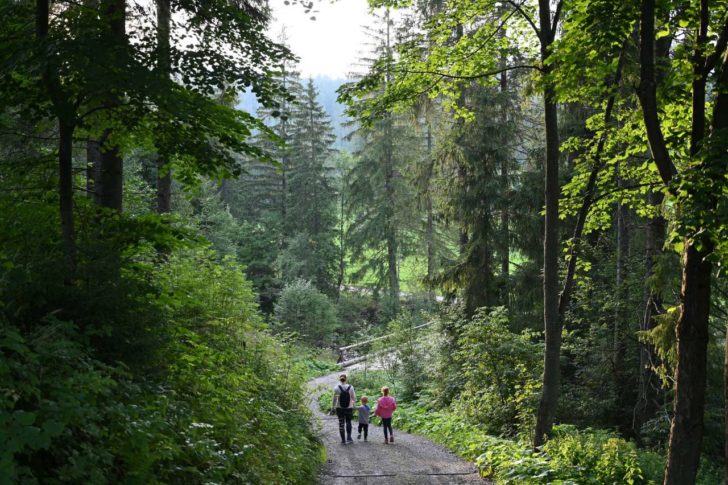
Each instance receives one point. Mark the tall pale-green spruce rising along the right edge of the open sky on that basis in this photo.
(381, 203)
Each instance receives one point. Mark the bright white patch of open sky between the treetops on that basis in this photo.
(331, 44)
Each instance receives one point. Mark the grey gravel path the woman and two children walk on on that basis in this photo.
(410, 459)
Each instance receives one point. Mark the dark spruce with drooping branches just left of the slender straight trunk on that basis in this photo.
(476, 150)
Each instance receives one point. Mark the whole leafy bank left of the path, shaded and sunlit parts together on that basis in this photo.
(217, 398)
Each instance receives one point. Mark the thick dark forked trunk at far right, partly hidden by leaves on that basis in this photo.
(686, 431)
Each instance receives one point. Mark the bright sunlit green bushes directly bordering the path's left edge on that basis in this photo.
(244, 416)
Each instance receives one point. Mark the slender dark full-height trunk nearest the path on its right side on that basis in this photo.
(552, 322)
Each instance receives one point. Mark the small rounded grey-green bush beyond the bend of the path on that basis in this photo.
(303, 309)
